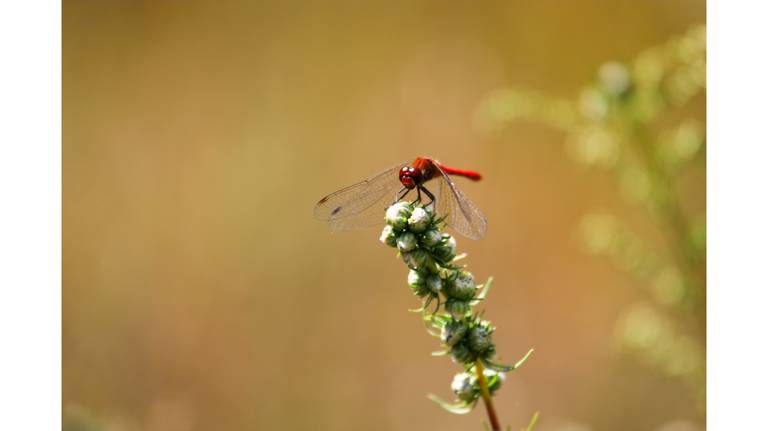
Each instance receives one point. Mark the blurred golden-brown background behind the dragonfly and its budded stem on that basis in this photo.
(200, 294)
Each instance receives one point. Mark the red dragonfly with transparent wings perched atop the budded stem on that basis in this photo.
(362, 205)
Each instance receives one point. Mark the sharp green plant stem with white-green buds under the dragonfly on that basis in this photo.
(437, 279)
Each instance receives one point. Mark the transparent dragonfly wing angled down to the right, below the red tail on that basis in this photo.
(462, 214)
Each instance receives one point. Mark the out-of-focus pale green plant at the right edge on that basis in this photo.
(628, 122)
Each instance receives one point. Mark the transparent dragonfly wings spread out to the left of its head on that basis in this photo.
(363, 204)
